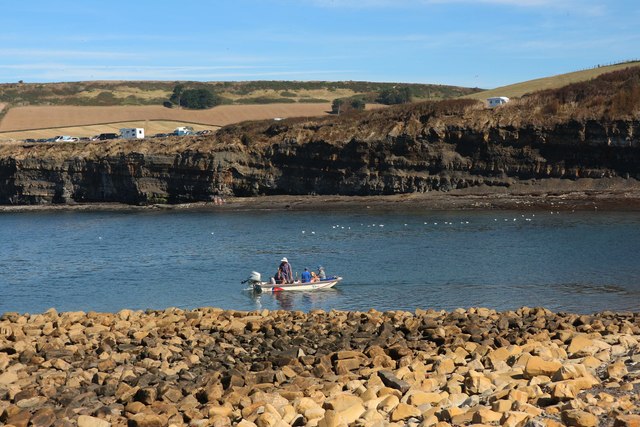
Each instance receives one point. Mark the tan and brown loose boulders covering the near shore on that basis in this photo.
(212, 367)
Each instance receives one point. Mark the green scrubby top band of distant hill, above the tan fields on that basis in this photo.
(128, 93)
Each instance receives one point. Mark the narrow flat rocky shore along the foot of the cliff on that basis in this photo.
(583, 195)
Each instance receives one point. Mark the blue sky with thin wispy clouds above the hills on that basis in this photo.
(484, 43)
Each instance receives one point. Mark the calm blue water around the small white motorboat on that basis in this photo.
(106, 261)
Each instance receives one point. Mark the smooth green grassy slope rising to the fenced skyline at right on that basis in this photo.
(553, 82)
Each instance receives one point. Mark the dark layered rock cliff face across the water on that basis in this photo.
(400, 150)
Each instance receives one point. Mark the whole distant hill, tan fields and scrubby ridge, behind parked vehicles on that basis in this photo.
(32, 110)
